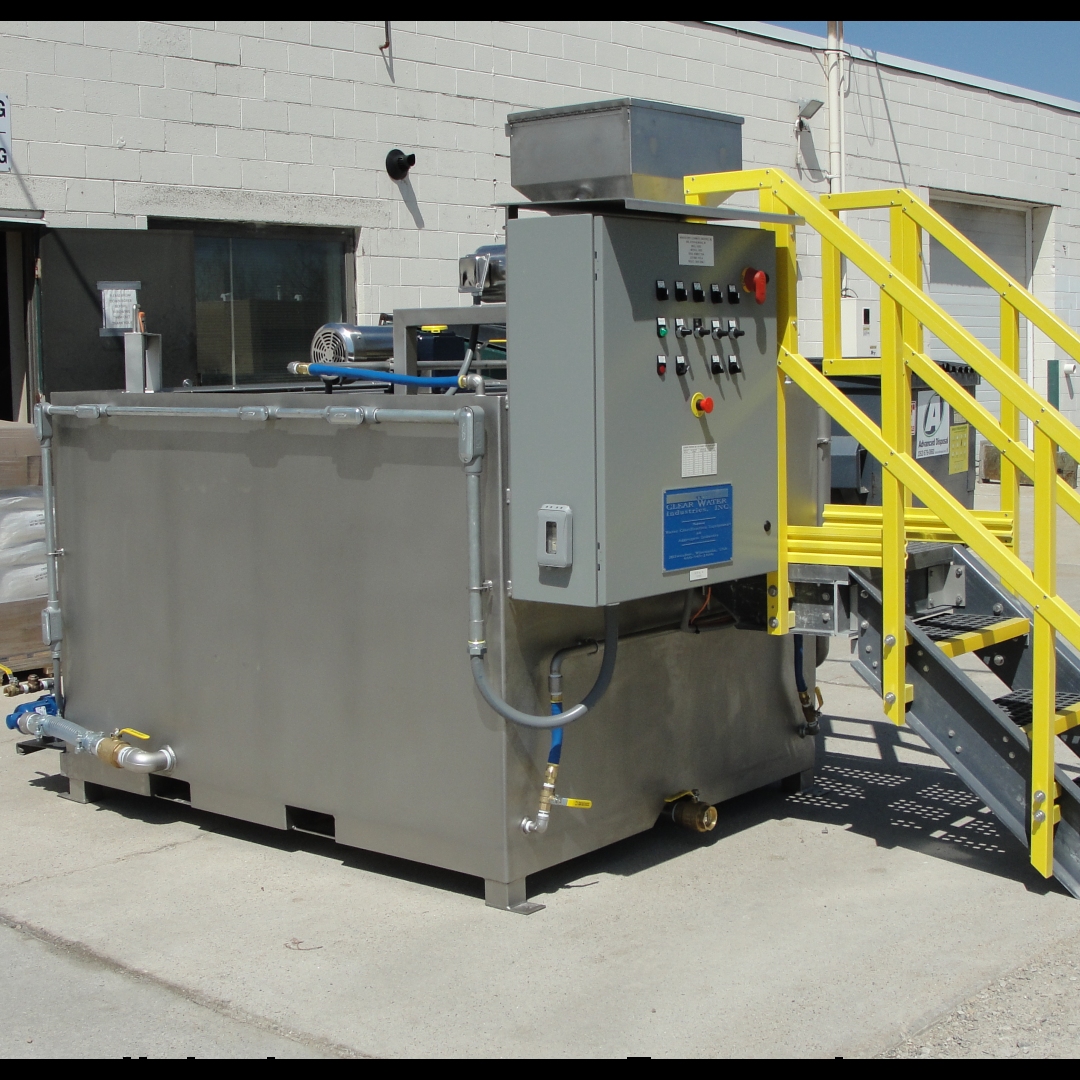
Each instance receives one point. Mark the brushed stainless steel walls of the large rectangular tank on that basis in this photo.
(285, 604)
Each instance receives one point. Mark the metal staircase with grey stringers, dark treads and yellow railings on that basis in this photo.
(882, 568)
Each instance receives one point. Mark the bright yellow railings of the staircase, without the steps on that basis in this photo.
(880, 537)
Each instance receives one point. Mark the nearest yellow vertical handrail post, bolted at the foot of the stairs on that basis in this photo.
(1044, 660)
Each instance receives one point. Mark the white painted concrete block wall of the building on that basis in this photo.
(117, 123)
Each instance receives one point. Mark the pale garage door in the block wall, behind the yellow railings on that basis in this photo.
(1003, 236)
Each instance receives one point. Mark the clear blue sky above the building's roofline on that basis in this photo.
(1041, 57)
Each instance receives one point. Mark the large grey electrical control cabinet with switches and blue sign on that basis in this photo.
(614, 327)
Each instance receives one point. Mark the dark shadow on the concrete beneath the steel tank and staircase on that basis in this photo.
(870, 779)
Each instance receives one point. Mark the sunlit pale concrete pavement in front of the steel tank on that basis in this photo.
(839, 922)
